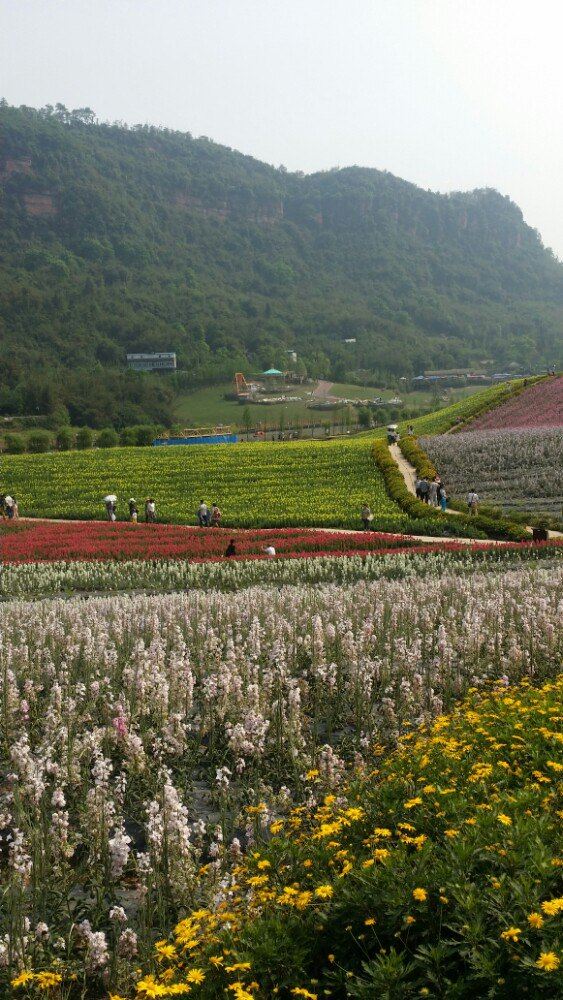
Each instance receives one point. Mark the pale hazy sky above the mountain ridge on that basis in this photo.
(450, 94)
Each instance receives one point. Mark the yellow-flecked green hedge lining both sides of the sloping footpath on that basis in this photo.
(478, 526)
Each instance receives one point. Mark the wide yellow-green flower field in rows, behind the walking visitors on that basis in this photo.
(293, 483)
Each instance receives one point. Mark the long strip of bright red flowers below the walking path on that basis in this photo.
(49, 541)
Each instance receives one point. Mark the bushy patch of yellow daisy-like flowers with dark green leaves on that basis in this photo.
(404, 884)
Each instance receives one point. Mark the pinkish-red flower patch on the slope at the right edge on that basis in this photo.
(539, 405)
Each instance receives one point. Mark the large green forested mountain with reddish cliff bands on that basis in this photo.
(117, 239)
